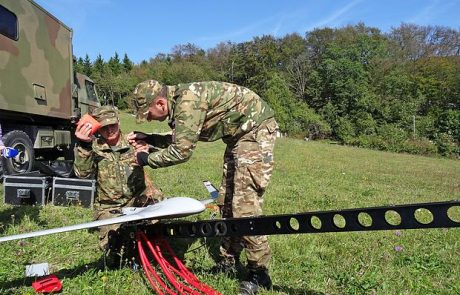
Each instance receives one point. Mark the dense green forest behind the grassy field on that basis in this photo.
(355, 85)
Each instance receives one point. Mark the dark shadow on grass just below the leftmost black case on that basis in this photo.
(14, 215)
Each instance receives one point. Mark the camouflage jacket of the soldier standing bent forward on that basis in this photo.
(207, 111)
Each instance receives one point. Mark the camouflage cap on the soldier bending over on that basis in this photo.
(144, 94)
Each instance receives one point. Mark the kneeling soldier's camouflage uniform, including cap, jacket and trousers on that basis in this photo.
(120, 180)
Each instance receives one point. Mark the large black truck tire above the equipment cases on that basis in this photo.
(24, 161)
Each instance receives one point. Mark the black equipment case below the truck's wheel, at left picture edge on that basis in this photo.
(27, 189)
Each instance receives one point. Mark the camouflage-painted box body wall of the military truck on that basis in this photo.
(38, 64)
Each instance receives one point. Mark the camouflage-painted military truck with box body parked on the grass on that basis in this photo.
(41, 97)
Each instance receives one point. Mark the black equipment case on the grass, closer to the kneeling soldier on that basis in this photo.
(73, 191)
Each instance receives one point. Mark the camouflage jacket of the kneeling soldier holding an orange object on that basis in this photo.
(119, 178)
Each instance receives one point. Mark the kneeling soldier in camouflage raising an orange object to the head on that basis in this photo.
(121, 182)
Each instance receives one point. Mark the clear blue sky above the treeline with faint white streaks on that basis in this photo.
(144, 28)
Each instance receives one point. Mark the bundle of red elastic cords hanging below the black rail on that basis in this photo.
(179, 277)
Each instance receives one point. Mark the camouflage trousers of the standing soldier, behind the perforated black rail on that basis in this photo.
(248, 166)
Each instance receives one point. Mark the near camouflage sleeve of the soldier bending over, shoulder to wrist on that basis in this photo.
(189, 116)
